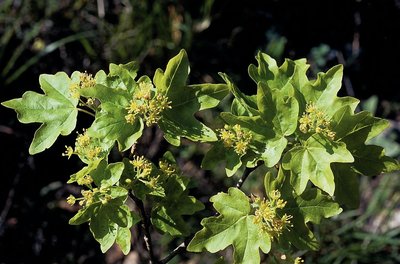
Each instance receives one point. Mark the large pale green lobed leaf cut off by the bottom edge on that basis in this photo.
(234, 226)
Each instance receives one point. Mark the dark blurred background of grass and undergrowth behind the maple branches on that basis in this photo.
(47, 36)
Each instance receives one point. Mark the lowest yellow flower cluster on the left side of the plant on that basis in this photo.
(91, 196)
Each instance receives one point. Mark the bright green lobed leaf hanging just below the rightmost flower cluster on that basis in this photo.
(311, 161)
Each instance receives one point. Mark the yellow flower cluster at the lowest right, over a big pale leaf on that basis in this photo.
(267, 217)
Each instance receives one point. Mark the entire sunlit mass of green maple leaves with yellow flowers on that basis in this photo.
(307, 141)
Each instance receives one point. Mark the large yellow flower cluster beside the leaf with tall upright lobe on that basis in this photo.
(146, 106)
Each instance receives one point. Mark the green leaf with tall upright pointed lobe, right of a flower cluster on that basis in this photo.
(186, 100)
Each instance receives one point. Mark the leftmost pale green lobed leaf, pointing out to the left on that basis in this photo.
(56, 110)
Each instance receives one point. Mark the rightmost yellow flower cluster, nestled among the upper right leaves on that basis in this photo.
(314, 120)
